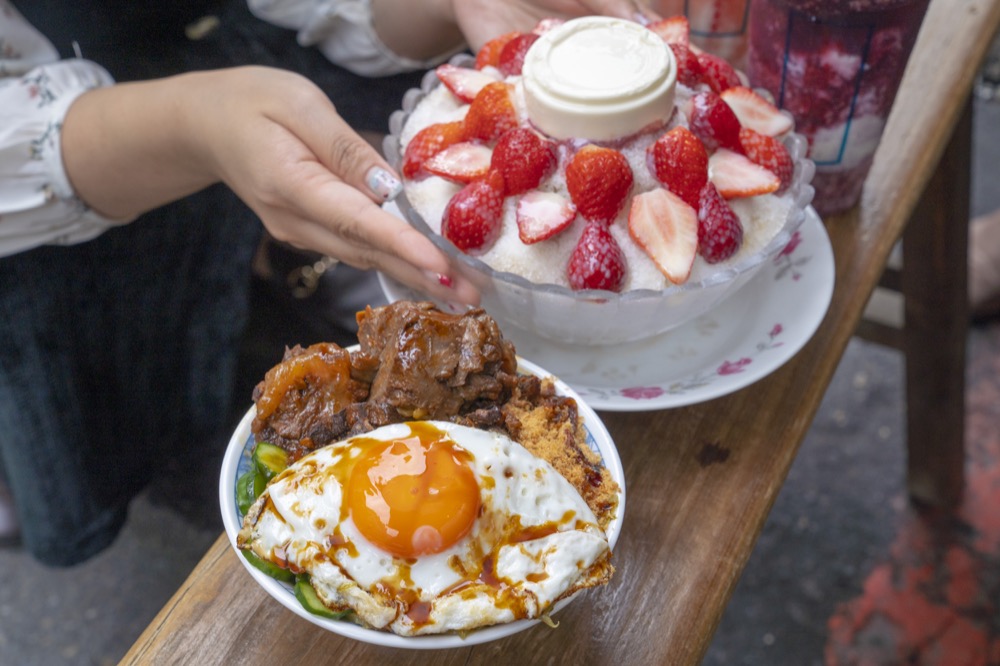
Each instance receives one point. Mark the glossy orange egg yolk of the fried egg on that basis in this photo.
(413, 496)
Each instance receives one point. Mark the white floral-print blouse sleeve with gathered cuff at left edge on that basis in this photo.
(37, 203)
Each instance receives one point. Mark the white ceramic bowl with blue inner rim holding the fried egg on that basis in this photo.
(237, 461)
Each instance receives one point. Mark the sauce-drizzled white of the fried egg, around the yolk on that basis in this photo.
(301, 509)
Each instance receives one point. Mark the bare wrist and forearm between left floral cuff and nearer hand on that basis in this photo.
(132, 147)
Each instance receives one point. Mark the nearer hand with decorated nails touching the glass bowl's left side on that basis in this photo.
(278, 142)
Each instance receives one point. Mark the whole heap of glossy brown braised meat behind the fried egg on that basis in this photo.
(414, 362)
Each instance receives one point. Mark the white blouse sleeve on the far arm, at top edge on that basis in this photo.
(343, 31)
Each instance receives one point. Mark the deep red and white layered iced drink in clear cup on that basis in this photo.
(835, 65)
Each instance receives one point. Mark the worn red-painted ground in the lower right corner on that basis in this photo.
(935, 601)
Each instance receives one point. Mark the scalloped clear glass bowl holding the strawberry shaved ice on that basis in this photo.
(598, 317)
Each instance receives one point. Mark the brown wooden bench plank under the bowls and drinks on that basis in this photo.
(700, 480)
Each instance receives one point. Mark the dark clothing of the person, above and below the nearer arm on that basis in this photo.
(117, 355)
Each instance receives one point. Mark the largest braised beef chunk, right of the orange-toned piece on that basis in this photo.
(435, 365)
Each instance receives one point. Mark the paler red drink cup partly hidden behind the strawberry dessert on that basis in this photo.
(717, 26)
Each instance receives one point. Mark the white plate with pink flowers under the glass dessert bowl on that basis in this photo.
(744, 339)
